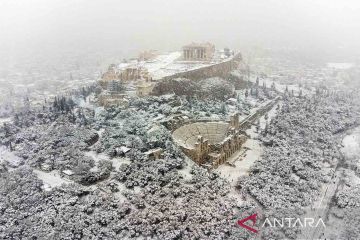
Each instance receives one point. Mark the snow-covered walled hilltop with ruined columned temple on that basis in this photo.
(195, 61)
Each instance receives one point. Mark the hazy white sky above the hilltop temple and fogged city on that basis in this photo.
(133, 25)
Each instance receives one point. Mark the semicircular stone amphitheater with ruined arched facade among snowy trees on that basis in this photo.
(210, 143)
